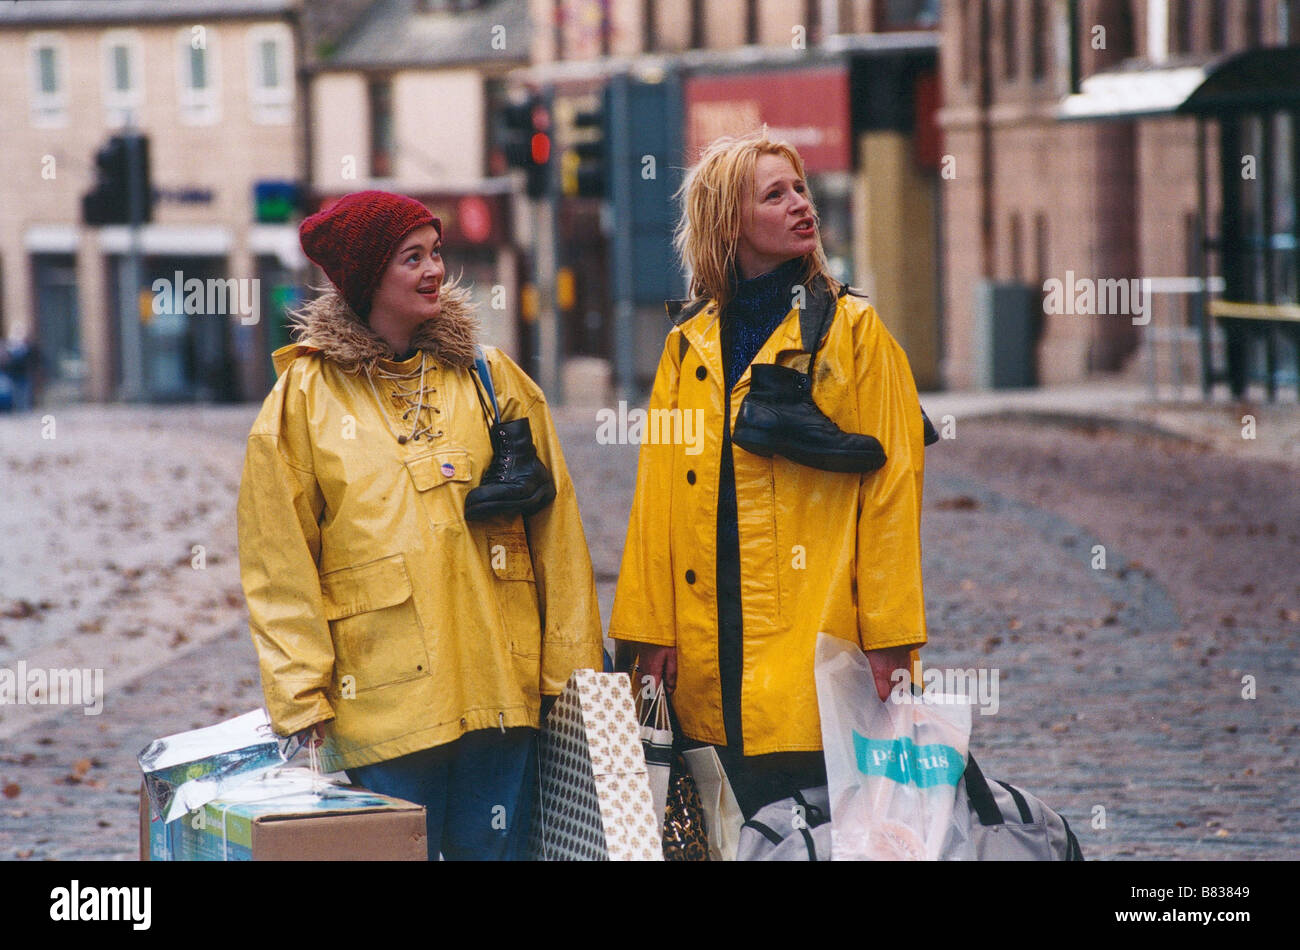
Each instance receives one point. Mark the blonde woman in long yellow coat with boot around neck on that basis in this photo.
(803, 513)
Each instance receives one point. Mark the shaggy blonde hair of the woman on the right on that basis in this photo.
(714, 197)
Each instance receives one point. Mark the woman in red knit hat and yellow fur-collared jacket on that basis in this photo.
(410, 544)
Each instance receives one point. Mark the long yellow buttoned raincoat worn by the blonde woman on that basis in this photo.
(820, 552)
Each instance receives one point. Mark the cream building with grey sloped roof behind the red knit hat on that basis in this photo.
(405, 102)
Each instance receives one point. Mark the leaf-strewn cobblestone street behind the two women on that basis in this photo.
(1121, 687)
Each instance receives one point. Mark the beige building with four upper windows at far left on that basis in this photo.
(213, 88)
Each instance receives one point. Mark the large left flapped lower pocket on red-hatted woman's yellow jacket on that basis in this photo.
(374, 624)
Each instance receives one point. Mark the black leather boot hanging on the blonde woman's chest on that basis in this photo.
(779, 418)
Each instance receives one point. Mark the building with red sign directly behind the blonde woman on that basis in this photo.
(852, 84)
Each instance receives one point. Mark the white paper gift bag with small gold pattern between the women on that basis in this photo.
(595, 801)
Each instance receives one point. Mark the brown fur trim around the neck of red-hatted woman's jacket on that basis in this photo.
(332, 328)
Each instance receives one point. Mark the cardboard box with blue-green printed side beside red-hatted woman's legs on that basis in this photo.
(274, 818)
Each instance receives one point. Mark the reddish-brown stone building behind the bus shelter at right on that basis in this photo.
(1035, 197)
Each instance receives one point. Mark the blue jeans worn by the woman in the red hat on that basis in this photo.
(478, 792)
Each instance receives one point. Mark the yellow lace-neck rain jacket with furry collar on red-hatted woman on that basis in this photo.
(375, 606)
